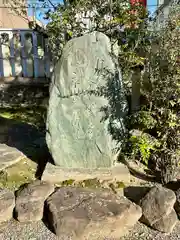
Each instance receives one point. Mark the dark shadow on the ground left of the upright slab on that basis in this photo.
(26, 138)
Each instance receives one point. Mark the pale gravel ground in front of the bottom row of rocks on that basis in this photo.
(38, 231)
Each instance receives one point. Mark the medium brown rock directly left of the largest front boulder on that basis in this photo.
(30, 201)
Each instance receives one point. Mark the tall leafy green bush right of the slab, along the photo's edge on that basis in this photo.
(160, 116)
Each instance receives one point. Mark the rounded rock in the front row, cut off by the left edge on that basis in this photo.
(7, 204)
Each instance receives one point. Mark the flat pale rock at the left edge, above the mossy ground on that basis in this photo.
(9, 156)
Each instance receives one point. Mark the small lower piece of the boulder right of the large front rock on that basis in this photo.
(167, 223)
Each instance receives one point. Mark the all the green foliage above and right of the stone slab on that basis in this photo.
(153, 128)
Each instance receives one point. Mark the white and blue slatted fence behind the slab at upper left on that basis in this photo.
(23, 53)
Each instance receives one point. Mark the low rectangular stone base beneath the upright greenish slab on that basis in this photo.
(56, 174)
